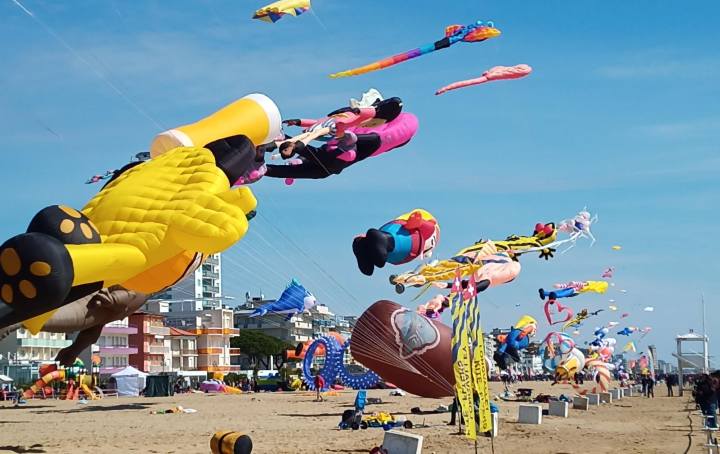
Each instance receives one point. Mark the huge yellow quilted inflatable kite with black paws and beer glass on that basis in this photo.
(149, 227)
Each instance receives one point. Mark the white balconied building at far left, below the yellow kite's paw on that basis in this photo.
(25, 347)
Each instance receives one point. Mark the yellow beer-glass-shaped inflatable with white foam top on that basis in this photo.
(254, 115)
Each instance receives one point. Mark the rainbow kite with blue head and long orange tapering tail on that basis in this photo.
(479, 31)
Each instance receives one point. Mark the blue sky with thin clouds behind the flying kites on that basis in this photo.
(621, 114)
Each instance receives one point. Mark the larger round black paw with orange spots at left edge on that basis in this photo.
(35, 268)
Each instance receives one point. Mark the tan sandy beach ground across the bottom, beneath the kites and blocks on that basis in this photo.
(294, 423)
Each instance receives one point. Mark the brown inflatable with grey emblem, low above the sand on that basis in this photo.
(405, 348)
